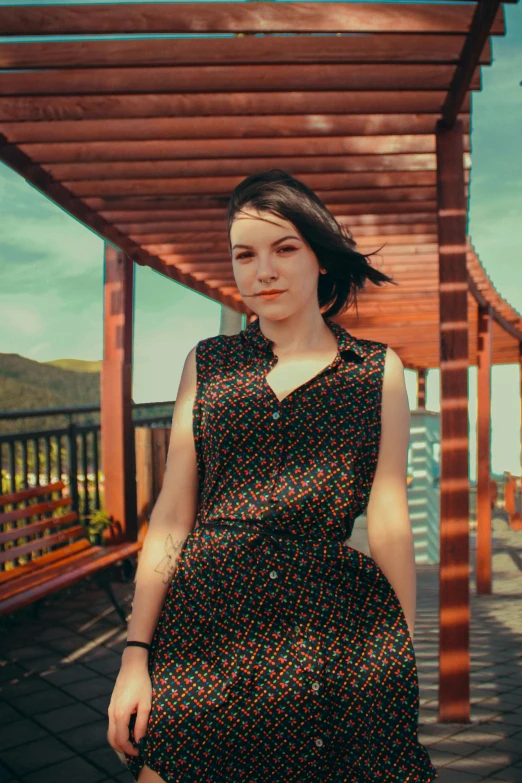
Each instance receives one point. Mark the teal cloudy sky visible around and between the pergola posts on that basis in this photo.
(51, 267)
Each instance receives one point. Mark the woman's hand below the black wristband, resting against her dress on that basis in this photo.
(132, 694)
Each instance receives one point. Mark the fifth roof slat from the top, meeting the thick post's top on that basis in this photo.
(183, 129)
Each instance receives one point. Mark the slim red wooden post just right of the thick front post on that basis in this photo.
(484, 357)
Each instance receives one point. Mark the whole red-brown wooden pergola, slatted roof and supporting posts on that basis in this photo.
(143, 141)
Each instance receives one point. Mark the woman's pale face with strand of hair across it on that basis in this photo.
(268, 248)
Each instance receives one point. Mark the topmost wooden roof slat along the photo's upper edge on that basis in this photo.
(304, 17)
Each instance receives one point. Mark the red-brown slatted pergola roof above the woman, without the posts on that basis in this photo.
(144, 139)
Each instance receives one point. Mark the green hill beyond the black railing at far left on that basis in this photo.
(25, 383)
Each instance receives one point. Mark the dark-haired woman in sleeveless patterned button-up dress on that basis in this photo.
(278, 654)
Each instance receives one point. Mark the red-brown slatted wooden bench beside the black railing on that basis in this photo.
(67, 556)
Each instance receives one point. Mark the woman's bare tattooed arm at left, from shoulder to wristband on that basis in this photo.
(171, 521)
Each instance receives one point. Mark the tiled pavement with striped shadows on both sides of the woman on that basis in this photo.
(57, 675)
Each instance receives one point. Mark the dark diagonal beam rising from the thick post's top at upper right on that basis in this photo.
(488, 13)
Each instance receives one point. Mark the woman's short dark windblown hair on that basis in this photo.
(279, 193)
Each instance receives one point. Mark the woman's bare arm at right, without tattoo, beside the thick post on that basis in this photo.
(389, 530)
